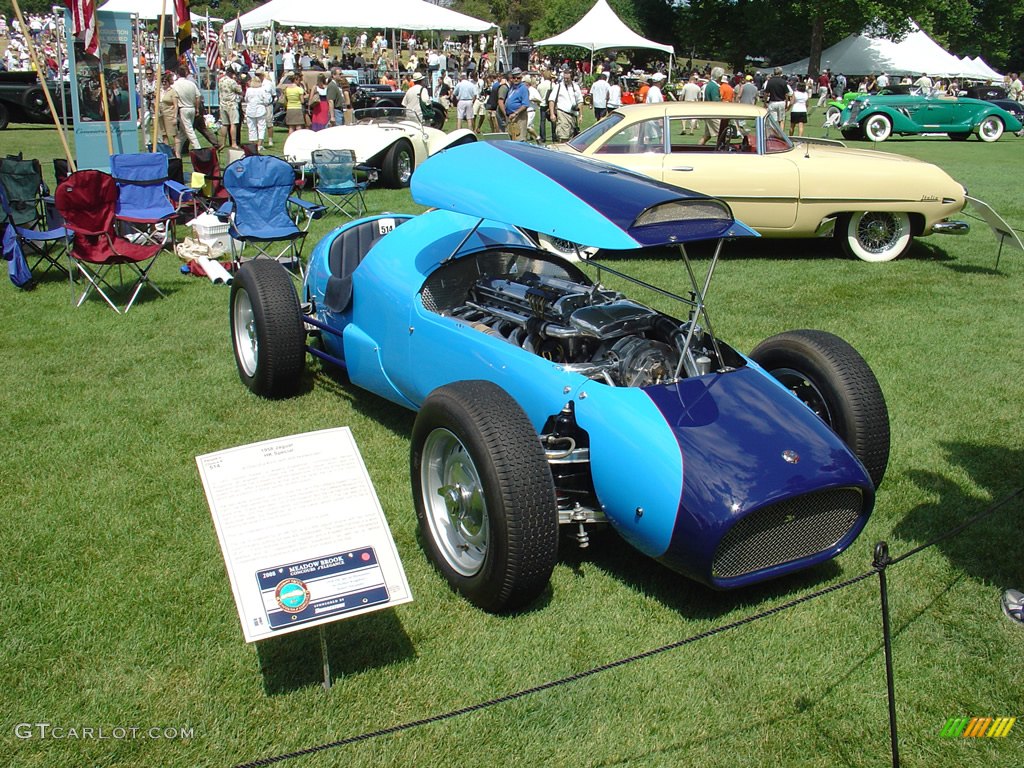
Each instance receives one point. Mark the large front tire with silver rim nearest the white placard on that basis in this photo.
(485, 496)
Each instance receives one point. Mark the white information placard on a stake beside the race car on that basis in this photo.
(303, 532)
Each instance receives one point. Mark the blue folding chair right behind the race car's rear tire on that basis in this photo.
(262, 211)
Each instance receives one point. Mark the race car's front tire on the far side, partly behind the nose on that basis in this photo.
(830, 377)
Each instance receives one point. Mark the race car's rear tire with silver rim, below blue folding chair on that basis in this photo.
(268, 333)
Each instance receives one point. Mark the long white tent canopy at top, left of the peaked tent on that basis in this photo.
(359, 15)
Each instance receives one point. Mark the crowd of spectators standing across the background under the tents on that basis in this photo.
(544, 102)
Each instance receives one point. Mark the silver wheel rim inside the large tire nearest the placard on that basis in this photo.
(453, 498)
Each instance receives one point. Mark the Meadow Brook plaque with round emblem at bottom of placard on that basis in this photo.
(314, 589)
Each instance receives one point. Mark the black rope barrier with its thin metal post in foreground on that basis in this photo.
(882, 562)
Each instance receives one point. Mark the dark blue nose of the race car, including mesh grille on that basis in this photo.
(769, 488)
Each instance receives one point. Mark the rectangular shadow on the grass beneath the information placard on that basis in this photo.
(293, 662)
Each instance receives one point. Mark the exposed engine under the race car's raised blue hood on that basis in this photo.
(588, 329)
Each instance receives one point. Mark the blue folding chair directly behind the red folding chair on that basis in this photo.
(148, 199)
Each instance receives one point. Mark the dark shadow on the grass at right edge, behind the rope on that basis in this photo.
(989, 550)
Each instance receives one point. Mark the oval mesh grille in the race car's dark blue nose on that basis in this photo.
(789, 531)
